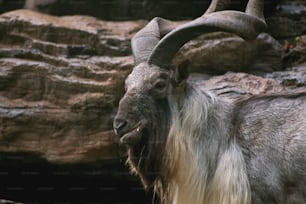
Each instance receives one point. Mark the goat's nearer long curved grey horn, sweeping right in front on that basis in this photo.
(246, 25)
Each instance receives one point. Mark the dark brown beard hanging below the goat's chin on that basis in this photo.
(145, 158)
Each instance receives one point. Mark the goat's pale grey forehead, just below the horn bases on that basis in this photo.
(144, 73)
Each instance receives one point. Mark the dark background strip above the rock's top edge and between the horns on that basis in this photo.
(125, 9)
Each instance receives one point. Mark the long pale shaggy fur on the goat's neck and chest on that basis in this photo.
(201, 164)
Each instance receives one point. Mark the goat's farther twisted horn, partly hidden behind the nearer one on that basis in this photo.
(148, 37)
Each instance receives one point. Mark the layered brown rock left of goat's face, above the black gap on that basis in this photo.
(61, 79)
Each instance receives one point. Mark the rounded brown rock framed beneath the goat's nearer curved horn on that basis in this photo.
(217, 53)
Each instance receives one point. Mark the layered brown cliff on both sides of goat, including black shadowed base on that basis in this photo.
(60, 82)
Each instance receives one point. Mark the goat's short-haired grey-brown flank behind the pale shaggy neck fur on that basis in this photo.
(271, 132)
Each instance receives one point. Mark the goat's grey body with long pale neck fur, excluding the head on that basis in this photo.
(251, 152)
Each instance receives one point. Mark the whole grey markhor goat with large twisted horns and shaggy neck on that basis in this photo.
(194, 148)
